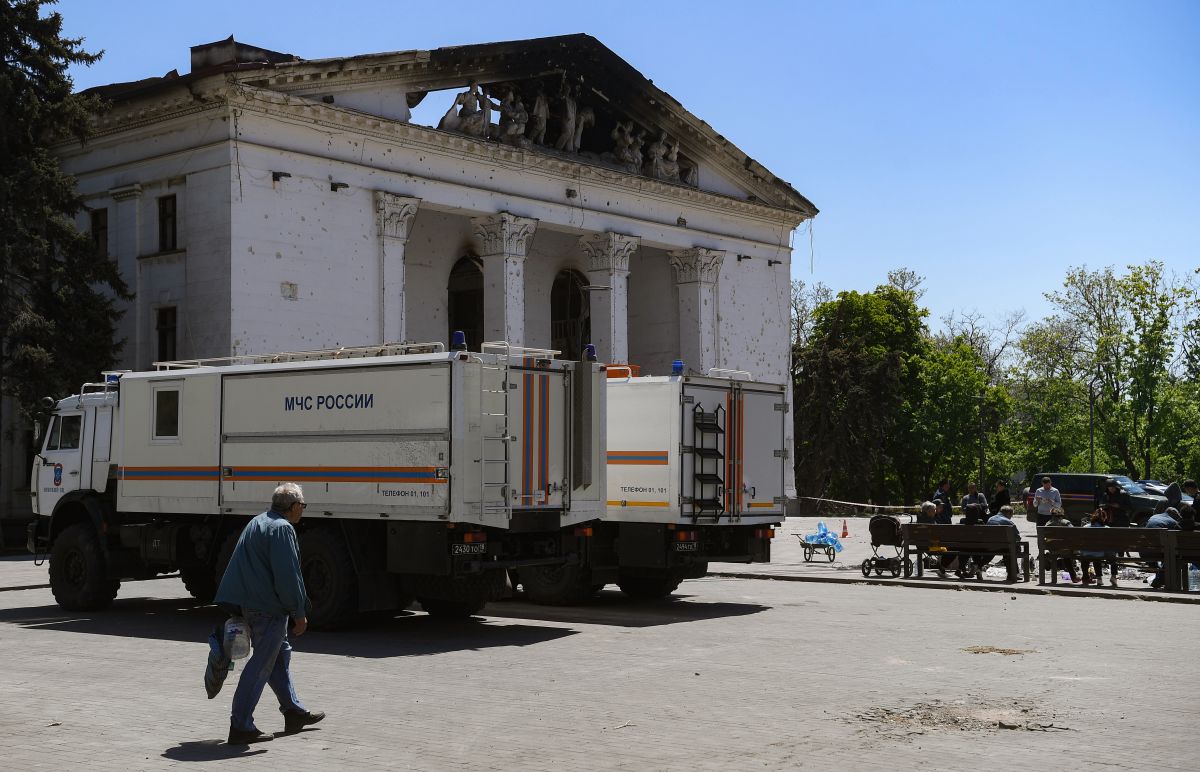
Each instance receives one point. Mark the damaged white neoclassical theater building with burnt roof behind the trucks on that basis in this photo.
(556, 198)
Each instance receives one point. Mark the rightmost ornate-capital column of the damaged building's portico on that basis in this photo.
(697, 273)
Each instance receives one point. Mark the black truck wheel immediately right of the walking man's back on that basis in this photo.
(329, 579)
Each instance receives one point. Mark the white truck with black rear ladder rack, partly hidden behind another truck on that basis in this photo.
(697, 470)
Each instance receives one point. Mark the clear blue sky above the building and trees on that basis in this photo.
(988, 147)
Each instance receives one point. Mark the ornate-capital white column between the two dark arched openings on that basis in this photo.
(505, 242)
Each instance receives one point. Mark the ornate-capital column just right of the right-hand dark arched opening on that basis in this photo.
(609, 276)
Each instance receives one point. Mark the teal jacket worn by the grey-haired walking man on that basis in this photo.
(265, 571)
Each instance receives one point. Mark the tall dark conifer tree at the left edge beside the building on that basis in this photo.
(57, 289)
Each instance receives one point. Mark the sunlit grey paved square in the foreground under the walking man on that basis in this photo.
(734, 674)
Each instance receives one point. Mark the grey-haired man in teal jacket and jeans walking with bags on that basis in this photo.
(265, 581)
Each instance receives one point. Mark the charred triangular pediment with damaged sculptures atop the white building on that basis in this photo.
(566, 97)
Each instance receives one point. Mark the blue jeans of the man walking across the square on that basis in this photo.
(268, 665)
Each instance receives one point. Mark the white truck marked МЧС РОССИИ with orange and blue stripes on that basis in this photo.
(428, 474)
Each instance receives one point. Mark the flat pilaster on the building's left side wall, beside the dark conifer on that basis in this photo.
(127, 226)
